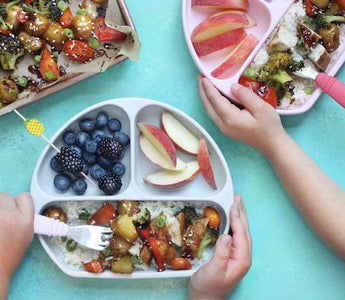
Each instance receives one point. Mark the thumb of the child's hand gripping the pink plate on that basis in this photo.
(248, 98)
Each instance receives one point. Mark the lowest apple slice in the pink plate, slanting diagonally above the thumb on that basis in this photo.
(237, 56)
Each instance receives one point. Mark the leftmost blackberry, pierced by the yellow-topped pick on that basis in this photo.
(69, 160)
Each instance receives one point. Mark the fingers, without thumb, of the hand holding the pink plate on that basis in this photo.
(222, 106)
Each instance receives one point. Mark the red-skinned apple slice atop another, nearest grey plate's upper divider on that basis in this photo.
(160, 141)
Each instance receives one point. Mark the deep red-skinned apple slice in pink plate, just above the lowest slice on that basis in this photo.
(219, 42)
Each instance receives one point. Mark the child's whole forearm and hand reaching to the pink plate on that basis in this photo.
(319, 199)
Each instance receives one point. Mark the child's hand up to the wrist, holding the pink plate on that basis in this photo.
(258, 125)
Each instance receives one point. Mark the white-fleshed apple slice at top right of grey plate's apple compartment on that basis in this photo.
(183, 139)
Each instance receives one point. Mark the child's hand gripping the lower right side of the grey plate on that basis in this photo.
(230, 262)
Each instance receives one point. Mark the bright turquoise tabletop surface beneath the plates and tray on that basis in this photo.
(289, 262)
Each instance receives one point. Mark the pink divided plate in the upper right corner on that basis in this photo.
(267, 15)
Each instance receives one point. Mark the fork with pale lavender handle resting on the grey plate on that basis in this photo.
(90, 236)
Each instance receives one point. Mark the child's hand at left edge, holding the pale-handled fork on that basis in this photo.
(16, 231)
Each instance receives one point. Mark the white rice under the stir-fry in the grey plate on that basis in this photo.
(75, 259)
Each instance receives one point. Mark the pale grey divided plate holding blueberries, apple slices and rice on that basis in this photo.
(129, 111)
